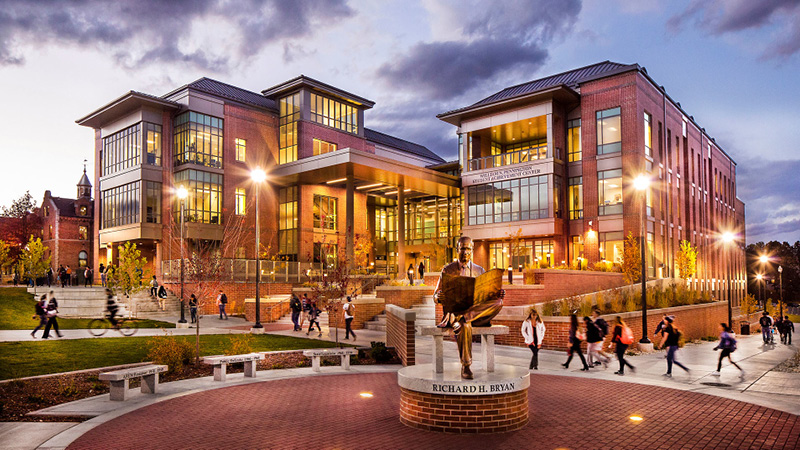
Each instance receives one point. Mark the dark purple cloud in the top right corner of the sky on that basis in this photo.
(719, 17)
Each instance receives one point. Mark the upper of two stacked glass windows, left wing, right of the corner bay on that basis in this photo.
(198, 140)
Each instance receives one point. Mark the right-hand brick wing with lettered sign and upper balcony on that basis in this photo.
(549, 169)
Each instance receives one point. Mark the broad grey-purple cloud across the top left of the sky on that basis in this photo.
(169, 31)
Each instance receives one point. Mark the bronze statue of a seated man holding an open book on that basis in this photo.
(478, 315)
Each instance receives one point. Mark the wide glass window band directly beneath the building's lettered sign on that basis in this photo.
(508, 201)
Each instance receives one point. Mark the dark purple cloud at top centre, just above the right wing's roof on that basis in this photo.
(497, 38)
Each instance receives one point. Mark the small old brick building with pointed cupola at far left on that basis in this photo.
(67, 228)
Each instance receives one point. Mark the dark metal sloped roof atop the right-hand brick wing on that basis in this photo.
(571, 79)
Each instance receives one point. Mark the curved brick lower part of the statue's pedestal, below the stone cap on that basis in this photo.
(464, 413)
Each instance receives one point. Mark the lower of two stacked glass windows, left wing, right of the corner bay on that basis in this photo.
(204, 203)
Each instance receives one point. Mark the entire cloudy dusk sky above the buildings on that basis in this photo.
(733, 65)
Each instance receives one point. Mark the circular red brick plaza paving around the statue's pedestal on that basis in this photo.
(328, 413)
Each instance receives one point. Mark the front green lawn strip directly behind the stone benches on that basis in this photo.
(25, 359)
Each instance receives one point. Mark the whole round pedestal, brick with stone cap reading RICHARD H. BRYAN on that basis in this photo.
(492, 402)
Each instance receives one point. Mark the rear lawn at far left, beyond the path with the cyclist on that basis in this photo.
(16, 312)
